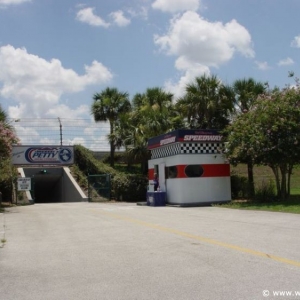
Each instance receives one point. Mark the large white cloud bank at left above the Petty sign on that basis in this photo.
(37, 84)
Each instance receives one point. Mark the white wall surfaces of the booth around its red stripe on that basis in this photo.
(196, 190)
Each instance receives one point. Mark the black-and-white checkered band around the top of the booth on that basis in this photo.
(187, 148)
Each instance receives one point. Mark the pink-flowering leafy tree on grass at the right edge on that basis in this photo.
(269, 133)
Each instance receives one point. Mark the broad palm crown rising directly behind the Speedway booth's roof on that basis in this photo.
(207, 103)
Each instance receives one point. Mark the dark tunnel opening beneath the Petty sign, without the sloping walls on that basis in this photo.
(47, 184)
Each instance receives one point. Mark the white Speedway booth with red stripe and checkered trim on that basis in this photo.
(191, 167)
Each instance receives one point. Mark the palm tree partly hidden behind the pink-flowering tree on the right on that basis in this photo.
(246, 92)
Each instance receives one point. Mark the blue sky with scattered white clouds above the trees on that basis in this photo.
(55, 55)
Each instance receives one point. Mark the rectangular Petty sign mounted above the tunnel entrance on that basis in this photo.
(42, 155)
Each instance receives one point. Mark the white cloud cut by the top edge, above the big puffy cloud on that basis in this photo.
(173, 6)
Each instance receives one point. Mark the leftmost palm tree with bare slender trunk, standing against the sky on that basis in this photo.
(109, 105)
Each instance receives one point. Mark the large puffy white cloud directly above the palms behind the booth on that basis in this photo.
(199, 44)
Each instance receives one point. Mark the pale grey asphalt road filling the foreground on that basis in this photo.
(122, 251)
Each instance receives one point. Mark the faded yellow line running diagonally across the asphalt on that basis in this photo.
(204, 239)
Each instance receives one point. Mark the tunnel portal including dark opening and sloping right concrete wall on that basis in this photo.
(55, 185)
